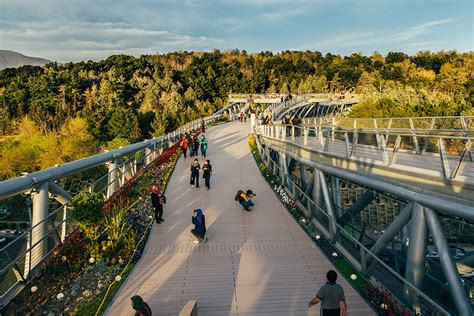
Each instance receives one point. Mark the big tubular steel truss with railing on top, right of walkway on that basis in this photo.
(283, 147)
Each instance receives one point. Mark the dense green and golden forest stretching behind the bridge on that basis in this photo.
(61, 112)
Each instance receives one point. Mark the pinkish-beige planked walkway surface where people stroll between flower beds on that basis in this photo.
(255, 263)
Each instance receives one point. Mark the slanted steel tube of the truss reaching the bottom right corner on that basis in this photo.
(457, 292)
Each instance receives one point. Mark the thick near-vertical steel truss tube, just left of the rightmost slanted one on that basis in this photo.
(416, 256)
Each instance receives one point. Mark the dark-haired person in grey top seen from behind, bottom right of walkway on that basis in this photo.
(331, 296)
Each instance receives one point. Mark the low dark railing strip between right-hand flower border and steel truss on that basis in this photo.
(351, 247)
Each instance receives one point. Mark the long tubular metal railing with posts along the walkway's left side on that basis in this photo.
(22, 257)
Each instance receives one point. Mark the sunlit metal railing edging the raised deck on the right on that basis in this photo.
(448, 156)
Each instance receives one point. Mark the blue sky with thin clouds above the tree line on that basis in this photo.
(74, 30)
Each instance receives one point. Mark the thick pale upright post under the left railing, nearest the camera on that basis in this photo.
(38, 239)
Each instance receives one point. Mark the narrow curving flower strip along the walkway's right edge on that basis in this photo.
(381, 300)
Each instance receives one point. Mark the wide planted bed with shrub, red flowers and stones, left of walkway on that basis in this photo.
(83, 273)
